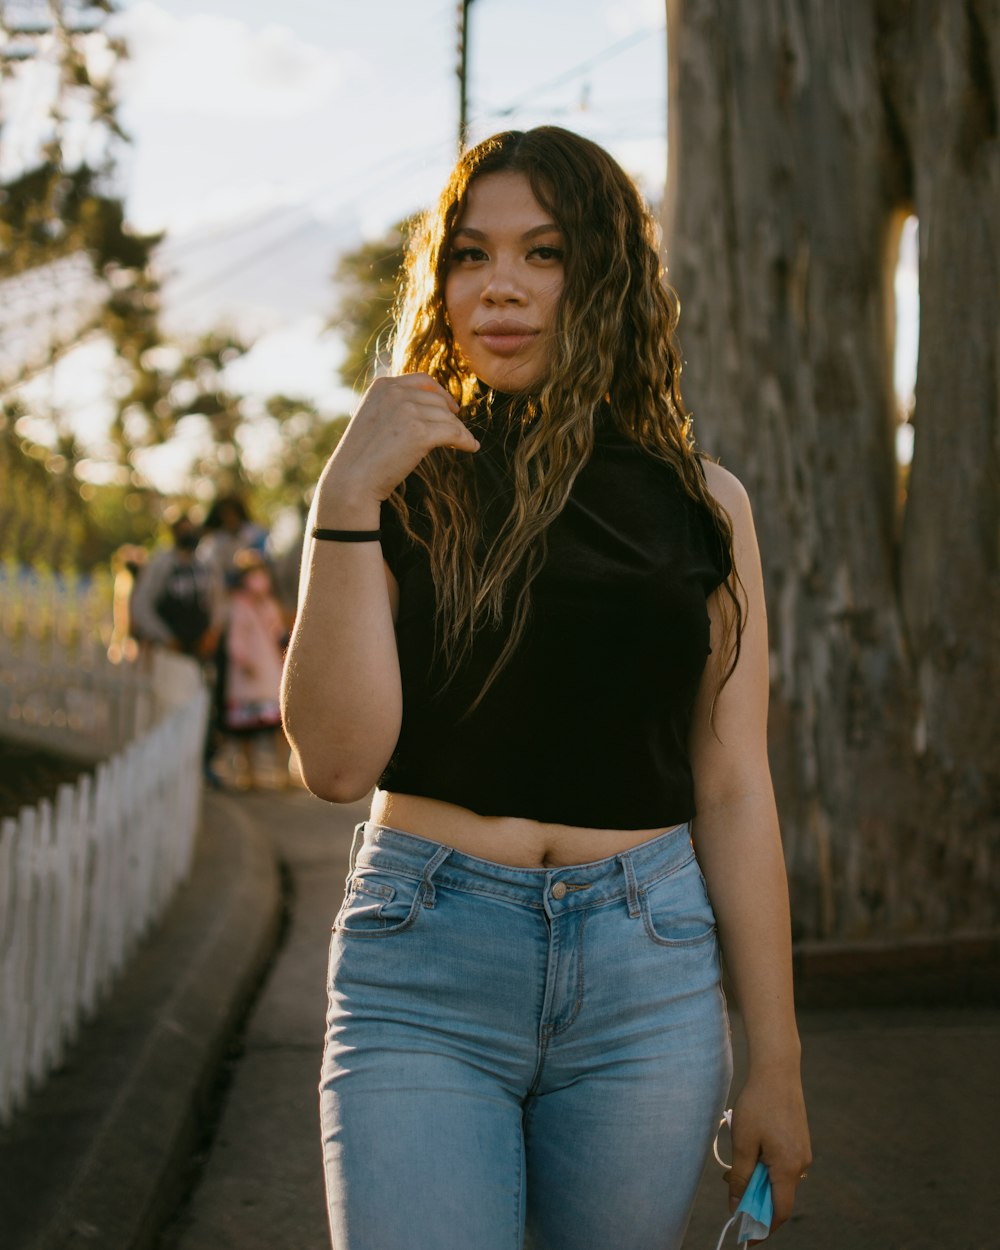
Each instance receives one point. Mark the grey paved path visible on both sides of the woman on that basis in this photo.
(904, 1103)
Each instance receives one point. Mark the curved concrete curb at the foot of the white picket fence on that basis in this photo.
(102, 1153)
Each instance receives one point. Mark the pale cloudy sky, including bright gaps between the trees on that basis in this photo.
(268, 139)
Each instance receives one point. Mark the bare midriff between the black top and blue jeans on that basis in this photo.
(503, 839)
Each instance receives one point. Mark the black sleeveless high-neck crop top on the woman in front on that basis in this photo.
(588, 723)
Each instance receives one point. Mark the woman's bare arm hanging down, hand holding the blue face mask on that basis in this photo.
(739, 849)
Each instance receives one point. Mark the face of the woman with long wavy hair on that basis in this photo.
(504, 282)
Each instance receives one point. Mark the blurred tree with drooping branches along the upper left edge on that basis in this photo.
(59, 204)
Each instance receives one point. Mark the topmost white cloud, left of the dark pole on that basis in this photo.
(222, 68)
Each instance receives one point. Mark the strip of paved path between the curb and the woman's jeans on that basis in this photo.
(262, 1187)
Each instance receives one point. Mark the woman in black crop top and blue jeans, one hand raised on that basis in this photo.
(553, 668)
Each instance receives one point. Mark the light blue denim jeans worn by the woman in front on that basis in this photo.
(521, 1057)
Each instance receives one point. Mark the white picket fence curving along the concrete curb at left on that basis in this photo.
(84, 877)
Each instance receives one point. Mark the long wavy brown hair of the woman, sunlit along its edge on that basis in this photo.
(616, 341)
